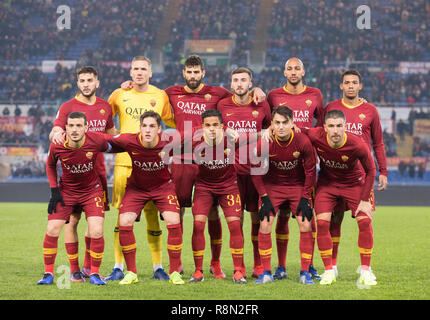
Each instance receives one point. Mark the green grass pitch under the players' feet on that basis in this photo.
(400, 261)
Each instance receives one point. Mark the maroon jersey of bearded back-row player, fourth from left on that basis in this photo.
(246, 119)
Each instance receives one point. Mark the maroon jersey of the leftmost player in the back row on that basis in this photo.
(99, 115)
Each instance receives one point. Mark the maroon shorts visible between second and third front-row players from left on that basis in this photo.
(184, 177)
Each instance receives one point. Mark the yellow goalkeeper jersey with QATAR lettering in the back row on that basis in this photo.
(129, 105)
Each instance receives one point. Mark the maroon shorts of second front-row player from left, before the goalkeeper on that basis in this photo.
(164, 198)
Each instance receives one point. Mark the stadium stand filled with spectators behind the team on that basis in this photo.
(108, 34)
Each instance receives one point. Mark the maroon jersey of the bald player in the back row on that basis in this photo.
(306, 105)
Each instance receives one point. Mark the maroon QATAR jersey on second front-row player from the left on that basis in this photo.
(149, 165)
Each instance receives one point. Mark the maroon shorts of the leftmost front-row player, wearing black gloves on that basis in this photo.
(92, 205)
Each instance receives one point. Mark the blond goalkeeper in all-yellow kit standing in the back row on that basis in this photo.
(129, 105)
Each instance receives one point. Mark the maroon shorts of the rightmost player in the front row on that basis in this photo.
(328, 197)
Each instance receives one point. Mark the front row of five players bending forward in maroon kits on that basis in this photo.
(276, 167)
